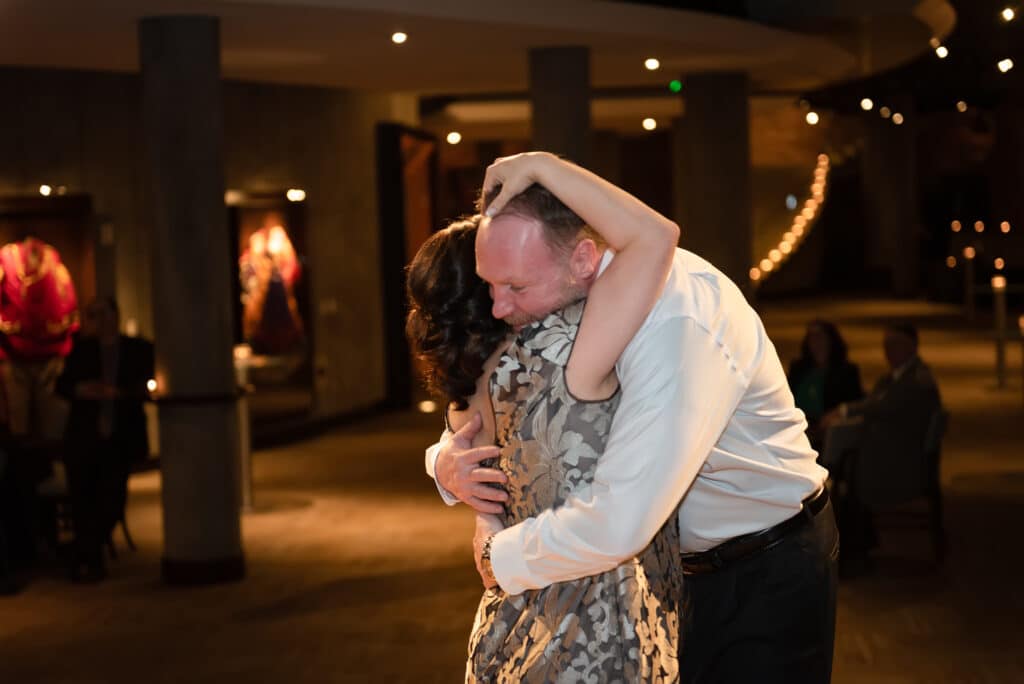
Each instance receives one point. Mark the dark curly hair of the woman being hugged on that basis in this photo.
(450, 326)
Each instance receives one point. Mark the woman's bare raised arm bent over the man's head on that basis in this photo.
(621, 298)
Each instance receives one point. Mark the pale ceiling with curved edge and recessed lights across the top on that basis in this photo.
(454, 47)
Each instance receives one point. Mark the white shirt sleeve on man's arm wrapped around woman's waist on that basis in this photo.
(680, 388)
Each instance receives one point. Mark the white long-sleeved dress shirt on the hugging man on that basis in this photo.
(707, 419)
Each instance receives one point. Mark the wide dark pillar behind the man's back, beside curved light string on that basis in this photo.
(712, 174)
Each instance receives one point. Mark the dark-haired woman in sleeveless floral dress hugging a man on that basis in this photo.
(546, 393)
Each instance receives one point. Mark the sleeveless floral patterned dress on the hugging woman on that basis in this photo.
(621, 626)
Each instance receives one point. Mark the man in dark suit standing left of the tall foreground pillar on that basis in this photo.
(105, 379)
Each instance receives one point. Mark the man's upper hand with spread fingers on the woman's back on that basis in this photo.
(458, 469)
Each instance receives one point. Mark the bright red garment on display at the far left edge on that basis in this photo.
(38, 307)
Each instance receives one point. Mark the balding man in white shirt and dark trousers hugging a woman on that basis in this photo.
(707, 431)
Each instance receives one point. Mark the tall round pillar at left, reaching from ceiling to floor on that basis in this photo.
(199, 442)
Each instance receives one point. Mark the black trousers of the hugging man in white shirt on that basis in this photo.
(767, 619)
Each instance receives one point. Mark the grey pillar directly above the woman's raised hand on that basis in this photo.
(560, 95)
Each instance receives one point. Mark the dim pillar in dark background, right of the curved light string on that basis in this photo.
(892, 231)
